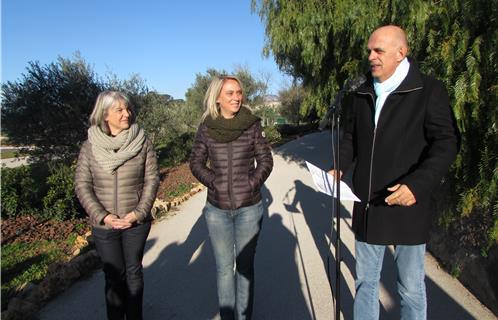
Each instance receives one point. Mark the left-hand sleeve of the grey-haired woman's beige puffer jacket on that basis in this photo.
(83, 182)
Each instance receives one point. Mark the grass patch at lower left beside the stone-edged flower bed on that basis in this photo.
(24, 263)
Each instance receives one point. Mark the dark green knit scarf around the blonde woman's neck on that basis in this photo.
(226, 130)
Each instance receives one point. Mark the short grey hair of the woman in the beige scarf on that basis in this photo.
(105, 100)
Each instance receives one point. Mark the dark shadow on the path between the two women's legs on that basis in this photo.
(181, 282)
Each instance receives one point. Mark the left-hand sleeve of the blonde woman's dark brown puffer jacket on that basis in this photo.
(198, 160)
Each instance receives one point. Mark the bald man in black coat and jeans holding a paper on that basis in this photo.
(403, 138)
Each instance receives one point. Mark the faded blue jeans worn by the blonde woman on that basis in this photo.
(234, 235)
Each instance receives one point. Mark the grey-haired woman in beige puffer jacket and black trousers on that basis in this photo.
(116, 182)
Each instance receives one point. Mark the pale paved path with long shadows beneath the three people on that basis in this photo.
(291, 262)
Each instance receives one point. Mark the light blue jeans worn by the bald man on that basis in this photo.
(409, 261)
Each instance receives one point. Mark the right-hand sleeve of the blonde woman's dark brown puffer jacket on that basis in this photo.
(264, 158)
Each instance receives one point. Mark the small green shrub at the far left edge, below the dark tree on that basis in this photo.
(19, 191)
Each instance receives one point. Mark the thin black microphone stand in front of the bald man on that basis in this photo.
(334, 121)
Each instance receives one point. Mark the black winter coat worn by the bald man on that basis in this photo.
(415, 142)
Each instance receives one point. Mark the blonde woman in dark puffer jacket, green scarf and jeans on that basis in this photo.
(231, 140)
